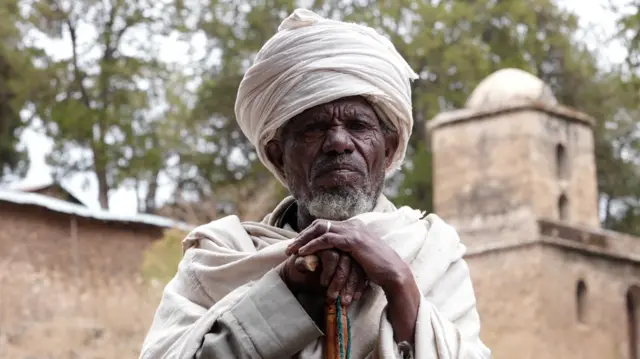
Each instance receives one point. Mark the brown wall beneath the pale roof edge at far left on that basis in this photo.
(44, 239)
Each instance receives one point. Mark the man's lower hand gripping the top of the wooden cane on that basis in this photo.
(337, 274)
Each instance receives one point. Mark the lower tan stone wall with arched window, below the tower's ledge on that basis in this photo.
(527, 300)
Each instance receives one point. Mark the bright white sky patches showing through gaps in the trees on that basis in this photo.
(592, 17)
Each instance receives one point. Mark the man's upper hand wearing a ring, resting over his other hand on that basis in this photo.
(381, 264)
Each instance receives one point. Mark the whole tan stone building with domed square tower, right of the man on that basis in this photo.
(514, 172)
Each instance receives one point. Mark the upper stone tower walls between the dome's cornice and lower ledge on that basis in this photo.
(506, 161)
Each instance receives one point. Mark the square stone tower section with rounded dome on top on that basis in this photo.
(512, 155)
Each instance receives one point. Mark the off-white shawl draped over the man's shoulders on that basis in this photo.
(226, 260)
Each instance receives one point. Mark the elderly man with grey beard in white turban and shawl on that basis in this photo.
(328, 106)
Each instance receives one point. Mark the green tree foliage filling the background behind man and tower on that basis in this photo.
(114, 110)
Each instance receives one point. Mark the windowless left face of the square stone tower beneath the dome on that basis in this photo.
(480, 166)
